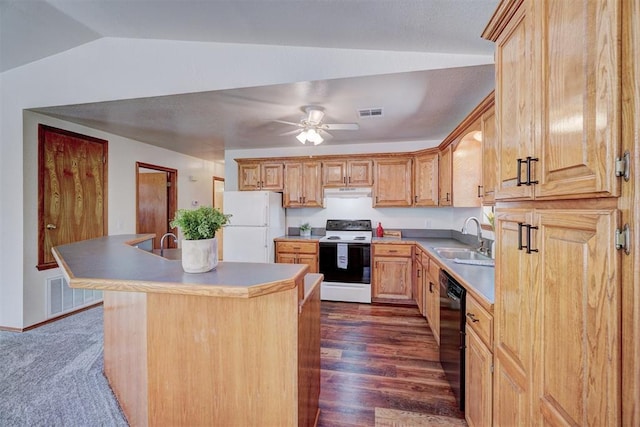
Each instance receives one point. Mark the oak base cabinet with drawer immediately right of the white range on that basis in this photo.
(392, 273)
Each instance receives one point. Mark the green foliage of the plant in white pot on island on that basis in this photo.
(201, 223)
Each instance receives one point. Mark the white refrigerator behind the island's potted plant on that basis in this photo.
(257, 218)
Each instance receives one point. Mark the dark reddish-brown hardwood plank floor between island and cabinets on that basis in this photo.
(380, 367)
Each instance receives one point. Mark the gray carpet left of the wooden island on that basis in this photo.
(52, 375)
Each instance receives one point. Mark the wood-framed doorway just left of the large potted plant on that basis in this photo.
(156, 201)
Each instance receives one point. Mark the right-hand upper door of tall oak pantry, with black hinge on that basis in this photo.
(579, 58)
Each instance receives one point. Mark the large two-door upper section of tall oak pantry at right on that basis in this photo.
(557, 98)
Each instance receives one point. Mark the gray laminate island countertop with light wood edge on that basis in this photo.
(114, 263)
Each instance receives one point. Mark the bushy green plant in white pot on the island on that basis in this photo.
(199, 244)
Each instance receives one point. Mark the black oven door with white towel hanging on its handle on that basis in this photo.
(358, 265)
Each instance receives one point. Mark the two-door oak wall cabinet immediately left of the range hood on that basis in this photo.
(302, 184)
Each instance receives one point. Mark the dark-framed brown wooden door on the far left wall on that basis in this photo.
(72, 190)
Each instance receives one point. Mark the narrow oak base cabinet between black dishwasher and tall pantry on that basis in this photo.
(478, 399)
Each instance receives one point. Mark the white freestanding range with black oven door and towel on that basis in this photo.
(345, 261)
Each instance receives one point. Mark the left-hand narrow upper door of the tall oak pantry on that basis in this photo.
(514, 104)
